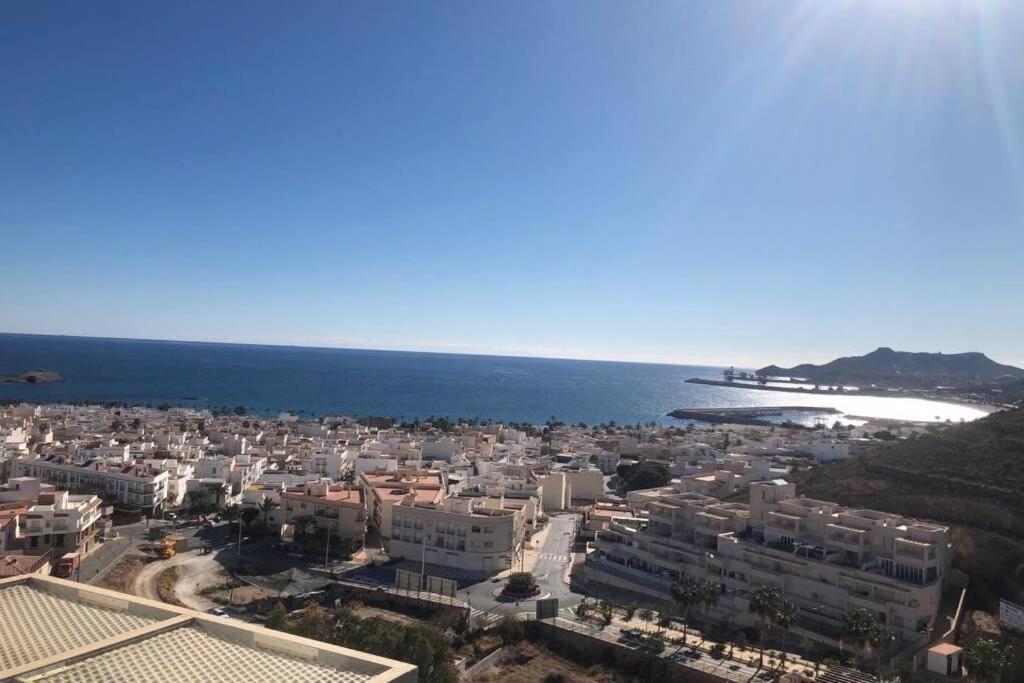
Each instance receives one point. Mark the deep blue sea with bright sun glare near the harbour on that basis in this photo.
(316, 382)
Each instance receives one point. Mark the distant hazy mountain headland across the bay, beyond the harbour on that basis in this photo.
(885, 367)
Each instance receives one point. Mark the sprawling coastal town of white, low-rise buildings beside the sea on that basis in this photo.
(691, 548)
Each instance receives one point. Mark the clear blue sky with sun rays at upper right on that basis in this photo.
(684, 182)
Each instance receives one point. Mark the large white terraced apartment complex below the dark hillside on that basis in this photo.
(826, 559)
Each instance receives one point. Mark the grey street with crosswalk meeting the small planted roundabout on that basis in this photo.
(549, 572)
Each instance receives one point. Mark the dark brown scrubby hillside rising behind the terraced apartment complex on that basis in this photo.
(970, 477)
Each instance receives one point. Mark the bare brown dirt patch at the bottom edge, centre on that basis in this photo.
(529, 663)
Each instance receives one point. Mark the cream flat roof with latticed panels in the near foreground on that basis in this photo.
(57, 630)
